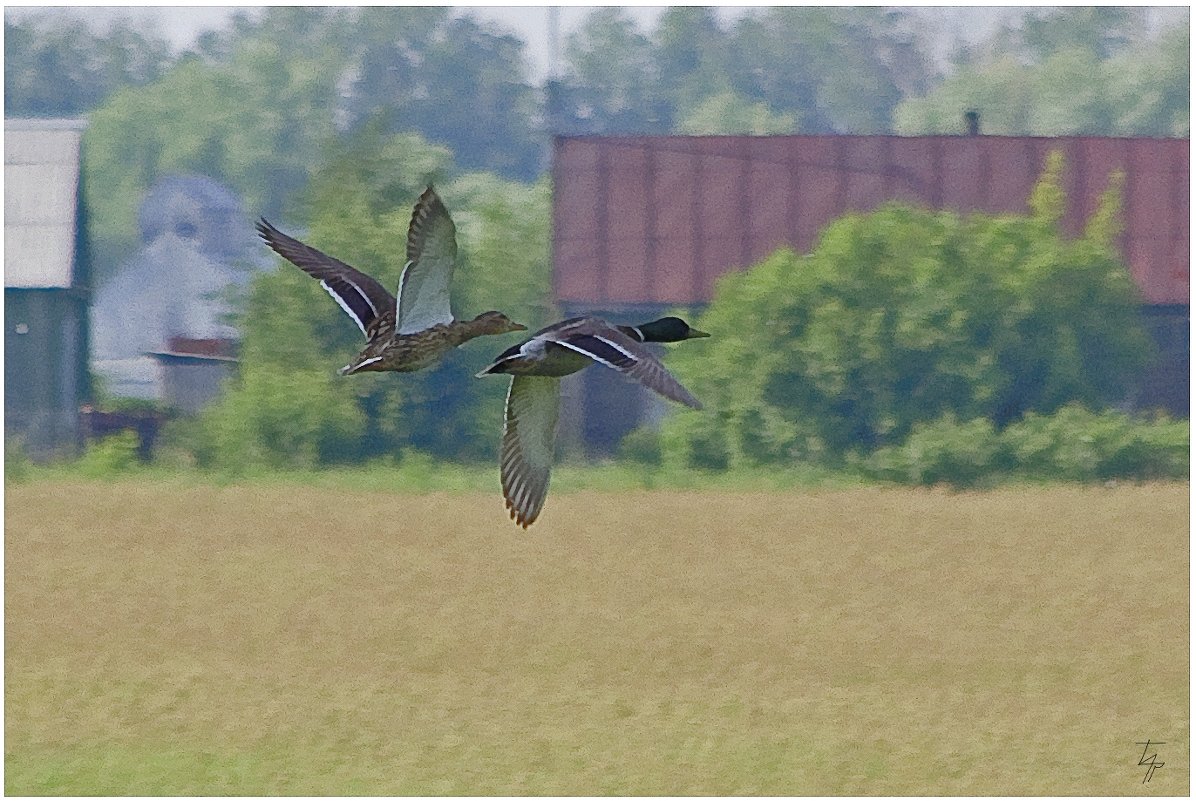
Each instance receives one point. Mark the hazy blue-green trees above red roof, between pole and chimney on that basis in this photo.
(822, 70)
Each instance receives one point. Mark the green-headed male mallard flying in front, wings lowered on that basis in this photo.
(538, 365)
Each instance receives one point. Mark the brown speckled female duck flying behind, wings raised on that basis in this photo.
(418, 329)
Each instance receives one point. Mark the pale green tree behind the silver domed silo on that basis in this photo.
(257, 124)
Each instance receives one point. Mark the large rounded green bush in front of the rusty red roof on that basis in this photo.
(901, 317)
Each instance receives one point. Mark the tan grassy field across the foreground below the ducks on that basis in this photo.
(174, 639)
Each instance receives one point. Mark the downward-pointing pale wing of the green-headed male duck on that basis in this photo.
(529, 436)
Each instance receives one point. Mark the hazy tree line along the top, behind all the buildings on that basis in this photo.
(259, 105)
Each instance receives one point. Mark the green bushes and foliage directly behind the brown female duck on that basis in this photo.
(290, 408)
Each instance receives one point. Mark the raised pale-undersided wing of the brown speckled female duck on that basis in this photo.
(431, 258)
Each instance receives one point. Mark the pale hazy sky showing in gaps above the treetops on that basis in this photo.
(182, 25)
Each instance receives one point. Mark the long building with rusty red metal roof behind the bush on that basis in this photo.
(650, 223)
